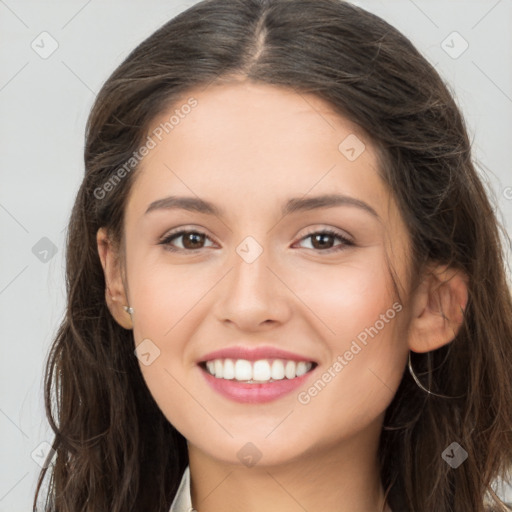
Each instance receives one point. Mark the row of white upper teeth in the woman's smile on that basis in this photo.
(263, 370)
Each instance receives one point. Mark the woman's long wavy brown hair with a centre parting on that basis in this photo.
(115, 450)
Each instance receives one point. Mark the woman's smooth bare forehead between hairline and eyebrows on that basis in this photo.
(257, 142)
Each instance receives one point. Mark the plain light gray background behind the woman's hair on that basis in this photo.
(44, 104)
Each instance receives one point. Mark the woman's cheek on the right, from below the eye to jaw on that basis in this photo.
(363, 327)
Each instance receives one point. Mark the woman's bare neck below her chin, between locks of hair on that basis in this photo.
(340, 478)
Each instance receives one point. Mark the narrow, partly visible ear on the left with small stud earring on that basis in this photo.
(115, 293)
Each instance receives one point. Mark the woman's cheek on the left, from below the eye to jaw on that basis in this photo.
(168, 310)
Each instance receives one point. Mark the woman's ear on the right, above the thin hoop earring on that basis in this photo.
(437, 308)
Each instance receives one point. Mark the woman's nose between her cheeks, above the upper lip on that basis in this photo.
(253, 295)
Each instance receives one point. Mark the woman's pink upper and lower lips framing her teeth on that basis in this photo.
(254, 393)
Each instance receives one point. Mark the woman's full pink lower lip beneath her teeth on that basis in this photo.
(255, 393)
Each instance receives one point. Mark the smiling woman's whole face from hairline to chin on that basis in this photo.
(265, 172)
